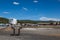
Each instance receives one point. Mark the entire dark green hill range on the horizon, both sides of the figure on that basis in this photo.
(6, 20)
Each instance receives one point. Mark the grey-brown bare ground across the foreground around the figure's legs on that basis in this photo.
(32, 34)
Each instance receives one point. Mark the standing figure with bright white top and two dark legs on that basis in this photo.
(13, 23)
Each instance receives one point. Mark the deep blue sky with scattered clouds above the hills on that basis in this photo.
(30, 9)
